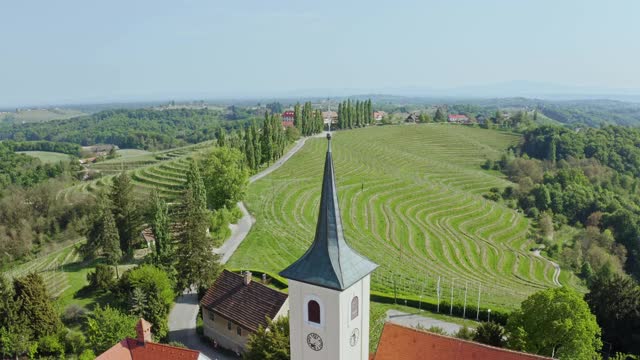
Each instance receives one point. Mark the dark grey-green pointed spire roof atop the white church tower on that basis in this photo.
(329, 262)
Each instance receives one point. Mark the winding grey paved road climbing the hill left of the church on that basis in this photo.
(182, 319)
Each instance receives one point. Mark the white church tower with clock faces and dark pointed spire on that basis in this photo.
(329, 288)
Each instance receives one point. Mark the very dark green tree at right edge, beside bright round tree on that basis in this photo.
(615, 301)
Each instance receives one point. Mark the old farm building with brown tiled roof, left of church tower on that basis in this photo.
(235, 306)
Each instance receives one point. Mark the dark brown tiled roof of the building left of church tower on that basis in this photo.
(246, 305)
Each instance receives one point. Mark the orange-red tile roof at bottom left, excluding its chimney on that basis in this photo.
(130, 349)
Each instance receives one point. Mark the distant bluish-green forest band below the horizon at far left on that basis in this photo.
(132, 129)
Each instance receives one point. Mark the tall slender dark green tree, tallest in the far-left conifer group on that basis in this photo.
(124, 211)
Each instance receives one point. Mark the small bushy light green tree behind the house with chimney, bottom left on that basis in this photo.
(108, 326)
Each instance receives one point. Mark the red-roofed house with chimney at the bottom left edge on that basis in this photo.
(143, 348)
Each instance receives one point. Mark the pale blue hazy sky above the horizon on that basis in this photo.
(68, 51)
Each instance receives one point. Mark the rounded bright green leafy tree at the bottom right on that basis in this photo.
(556, 322)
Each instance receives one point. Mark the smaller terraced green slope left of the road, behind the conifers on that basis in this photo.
(164, 171)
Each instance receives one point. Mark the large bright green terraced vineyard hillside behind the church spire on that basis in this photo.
(411, 200)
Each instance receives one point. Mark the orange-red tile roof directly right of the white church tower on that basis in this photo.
(403, 343)
